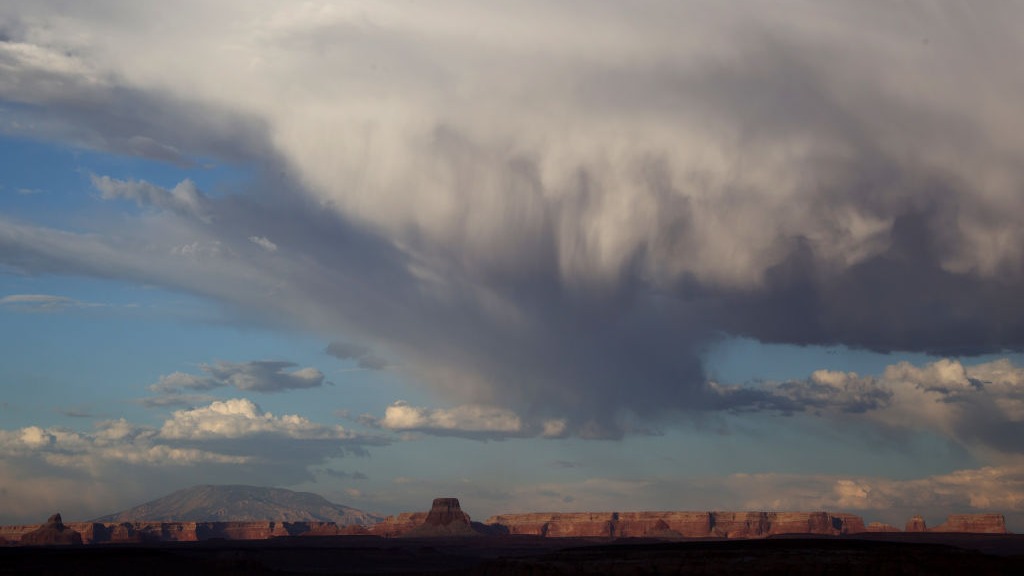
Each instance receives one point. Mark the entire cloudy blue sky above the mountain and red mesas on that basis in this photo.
(540, 257)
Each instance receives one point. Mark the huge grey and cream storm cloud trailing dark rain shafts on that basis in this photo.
(560, 227)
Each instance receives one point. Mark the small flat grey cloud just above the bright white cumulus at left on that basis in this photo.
(268, 377)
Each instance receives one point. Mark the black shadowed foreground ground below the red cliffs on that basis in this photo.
(877, 555)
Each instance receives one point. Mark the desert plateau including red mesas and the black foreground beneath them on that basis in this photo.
(446, 541)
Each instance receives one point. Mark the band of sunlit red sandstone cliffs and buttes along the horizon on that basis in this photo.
(446, 518)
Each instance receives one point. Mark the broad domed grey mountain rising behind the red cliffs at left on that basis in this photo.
(242, 504)
